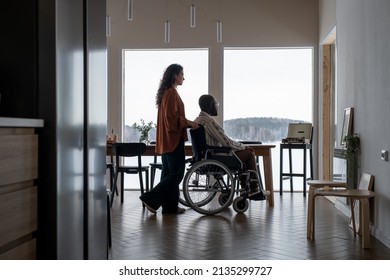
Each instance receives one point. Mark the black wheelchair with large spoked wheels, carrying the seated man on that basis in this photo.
(212, 182)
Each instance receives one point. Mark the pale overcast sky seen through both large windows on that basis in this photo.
(257, 82)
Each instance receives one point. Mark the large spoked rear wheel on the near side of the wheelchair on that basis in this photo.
(203, 185)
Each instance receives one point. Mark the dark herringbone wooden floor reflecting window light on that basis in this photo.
(262, 232)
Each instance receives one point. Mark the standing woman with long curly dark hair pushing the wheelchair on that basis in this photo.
(170, 137)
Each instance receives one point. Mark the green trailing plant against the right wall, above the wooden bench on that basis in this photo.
(351, 153)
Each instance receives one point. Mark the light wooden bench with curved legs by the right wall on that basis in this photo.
(339, 189)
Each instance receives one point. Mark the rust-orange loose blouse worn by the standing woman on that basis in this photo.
(171, 122)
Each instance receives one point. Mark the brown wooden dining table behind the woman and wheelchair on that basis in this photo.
(261, 150)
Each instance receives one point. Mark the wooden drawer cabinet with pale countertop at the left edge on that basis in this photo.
(18, 187)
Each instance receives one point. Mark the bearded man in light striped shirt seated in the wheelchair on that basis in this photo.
(215, 136)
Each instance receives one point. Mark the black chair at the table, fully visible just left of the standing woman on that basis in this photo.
(124, 150)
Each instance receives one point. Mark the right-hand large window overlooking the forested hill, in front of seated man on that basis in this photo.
(264, 90)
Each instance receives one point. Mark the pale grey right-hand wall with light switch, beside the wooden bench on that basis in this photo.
(363, 69)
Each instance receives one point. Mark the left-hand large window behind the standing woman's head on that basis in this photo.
(143, 70)
